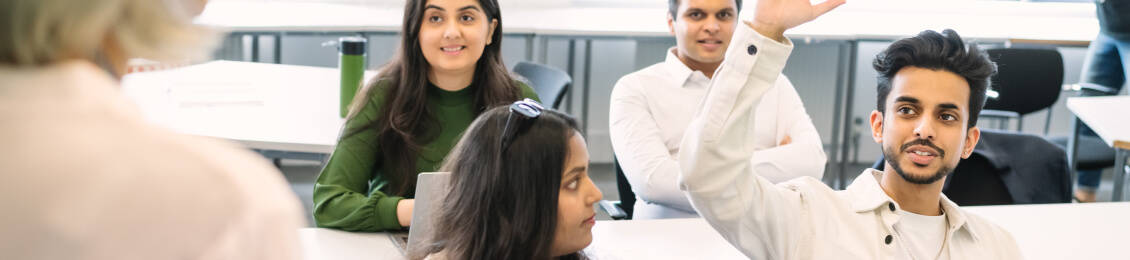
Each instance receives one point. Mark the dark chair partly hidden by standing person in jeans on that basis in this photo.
(1090, 153)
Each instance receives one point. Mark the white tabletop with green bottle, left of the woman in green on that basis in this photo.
(260, 106)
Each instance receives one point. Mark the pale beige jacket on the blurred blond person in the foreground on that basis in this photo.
(84, 177)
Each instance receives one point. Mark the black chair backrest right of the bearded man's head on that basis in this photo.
(1028, 80)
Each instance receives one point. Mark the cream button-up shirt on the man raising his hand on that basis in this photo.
(802, 219)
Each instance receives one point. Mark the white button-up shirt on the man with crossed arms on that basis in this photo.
(651, 109)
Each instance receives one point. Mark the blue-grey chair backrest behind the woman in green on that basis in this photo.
(550, 83)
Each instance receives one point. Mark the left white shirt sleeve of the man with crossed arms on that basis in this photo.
(639, 145)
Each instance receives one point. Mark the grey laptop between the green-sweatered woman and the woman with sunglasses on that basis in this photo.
(431, 189)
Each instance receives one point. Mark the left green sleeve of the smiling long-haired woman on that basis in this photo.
(343, 198)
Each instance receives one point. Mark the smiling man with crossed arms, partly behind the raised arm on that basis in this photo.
(651, 109)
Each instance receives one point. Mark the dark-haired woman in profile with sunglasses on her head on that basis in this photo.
(520, 189)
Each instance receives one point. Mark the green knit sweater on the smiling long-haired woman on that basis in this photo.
(351, 192)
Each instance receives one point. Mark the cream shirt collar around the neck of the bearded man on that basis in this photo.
(867, 196)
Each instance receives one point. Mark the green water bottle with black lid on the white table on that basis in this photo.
(352, 64)
